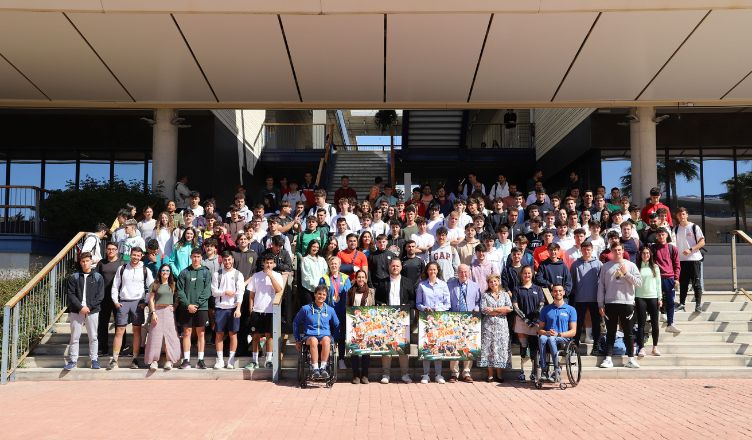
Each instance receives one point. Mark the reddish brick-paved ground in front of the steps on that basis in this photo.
(601, 409)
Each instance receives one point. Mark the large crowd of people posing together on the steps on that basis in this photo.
(499, 252)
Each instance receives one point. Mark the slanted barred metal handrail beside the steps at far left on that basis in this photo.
(34, 310)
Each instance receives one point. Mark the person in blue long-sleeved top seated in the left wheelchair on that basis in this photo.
(313, 326)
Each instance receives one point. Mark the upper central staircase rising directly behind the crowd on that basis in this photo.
(362, 167)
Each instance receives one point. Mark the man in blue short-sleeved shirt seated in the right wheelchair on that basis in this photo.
(557, 326)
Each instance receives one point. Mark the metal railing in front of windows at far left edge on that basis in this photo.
(19, 207)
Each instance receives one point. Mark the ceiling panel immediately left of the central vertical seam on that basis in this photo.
(337, 57)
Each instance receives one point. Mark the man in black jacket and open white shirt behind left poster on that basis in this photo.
(397, 290)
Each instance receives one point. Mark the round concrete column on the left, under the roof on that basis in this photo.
(165, 151)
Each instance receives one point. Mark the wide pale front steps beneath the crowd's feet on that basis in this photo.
(714, 343)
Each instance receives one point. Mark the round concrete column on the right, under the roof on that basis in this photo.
(643, 152)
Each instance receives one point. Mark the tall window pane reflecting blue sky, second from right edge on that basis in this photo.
(720, 209)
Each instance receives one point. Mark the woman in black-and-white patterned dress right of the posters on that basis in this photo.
(496, 350)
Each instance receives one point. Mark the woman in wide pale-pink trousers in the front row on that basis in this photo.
(162, 328)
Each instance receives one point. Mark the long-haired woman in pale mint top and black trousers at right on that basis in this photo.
(648, 301)
